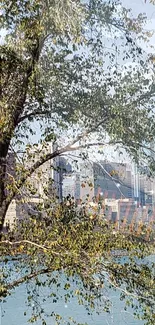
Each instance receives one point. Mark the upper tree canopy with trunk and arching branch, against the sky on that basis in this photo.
(47, 69)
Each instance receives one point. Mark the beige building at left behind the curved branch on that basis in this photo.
(43, 183)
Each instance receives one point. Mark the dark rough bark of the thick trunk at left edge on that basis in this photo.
(16, 109)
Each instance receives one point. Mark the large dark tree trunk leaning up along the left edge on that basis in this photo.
(14, 95)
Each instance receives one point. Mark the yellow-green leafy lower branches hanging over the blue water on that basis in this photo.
(73, 243)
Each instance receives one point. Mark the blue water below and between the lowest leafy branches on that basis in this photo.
(13, 309)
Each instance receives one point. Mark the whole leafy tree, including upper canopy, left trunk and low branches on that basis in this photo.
(54, 69)
